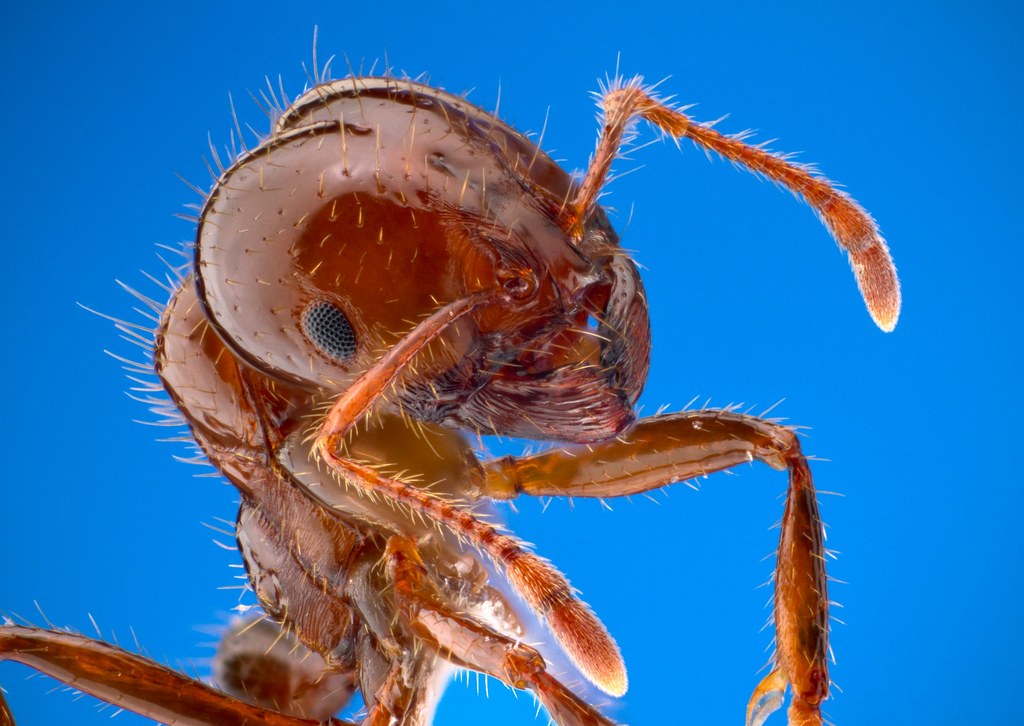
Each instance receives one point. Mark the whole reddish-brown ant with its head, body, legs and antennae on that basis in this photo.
(392, 270)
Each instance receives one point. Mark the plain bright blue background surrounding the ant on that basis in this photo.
(917, 112)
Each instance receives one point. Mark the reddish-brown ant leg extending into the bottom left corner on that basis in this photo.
(132, 682)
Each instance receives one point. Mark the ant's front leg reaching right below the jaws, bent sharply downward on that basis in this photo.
(674, 448)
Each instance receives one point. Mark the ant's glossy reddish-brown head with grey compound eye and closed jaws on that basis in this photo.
(375, 202)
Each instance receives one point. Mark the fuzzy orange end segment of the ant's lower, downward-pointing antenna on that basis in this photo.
(590, 647)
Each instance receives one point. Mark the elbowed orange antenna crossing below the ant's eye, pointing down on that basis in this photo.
(548, 592)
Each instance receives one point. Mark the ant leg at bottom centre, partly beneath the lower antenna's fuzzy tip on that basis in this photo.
(470, 644)
